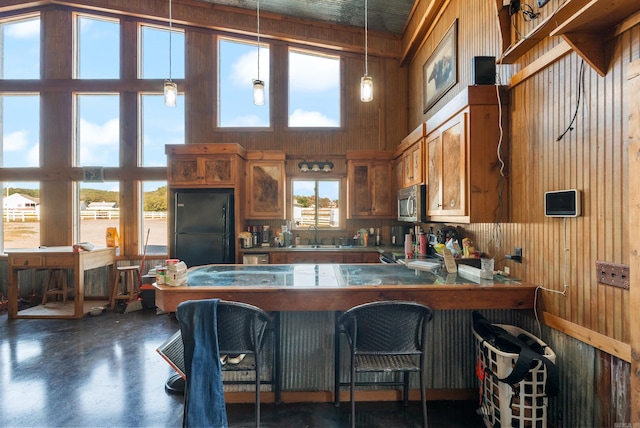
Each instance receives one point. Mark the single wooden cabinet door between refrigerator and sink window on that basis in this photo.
(265, 196)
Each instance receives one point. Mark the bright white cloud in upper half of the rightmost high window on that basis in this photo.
(313, 73)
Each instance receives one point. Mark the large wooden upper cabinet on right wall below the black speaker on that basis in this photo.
(463, 170)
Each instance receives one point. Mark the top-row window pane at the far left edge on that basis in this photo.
(20, 48)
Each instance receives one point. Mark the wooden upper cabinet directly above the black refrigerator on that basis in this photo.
(203, 165)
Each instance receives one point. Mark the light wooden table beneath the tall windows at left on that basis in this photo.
(56, 258)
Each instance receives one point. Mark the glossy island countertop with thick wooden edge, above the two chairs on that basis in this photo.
(325, 287)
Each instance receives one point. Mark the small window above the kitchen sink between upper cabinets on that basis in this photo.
(316, 203)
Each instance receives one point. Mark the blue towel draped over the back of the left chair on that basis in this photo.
(204, 396)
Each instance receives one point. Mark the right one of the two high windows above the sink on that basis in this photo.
(314, 89)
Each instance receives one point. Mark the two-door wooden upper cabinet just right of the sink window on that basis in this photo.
(370, 184)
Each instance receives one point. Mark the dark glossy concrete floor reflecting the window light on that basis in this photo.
(104, 371)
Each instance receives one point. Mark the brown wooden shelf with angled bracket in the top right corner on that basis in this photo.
(592, 26)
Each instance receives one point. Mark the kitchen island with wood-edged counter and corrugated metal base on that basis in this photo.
(308, 296)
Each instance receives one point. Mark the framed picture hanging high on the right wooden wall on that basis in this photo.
(440, 72)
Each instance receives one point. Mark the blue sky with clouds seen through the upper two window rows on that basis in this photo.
(314, 86)
